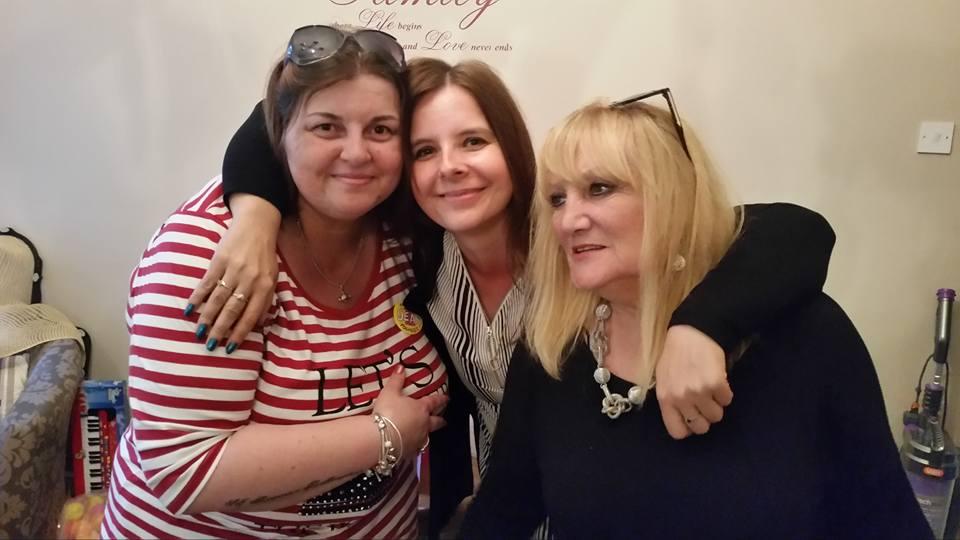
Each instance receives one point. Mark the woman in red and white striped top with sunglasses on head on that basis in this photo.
(310, 427)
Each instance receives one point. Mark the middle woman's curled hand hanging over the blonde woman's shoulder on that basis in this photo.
(691, 382)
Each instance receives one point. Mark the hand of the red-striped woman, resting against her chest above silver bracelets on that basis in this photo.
(414, 418)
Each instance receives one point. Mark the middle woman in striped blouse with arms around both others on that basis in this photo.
(472, 175)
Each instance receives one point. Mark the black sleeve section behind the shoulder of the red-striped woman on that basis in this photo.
(250, 165)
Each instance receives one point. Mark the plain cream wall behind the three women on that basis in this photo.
(115, 111)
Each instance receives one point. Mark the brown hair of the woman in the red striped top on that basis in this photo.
(290, 86)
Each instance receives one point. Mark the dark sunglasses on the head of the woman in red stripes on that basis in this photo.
(312, 44)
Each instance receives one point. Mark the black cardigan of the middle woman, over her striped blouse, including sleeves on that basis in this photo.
(779, 261)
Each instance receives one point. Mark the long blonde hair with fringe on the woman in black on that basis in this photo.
(686, 212)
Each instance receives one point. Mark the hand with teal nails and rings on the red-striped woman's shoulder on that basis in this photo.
(235, 293)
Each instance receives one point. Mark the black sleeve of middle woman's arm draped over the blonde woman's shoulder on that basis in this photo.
(778, 262)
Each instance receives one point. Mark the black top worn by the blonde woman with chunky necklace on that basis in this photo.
(804, 451)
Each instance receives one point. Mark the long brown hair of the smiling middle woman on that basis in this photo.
(427, 75)
